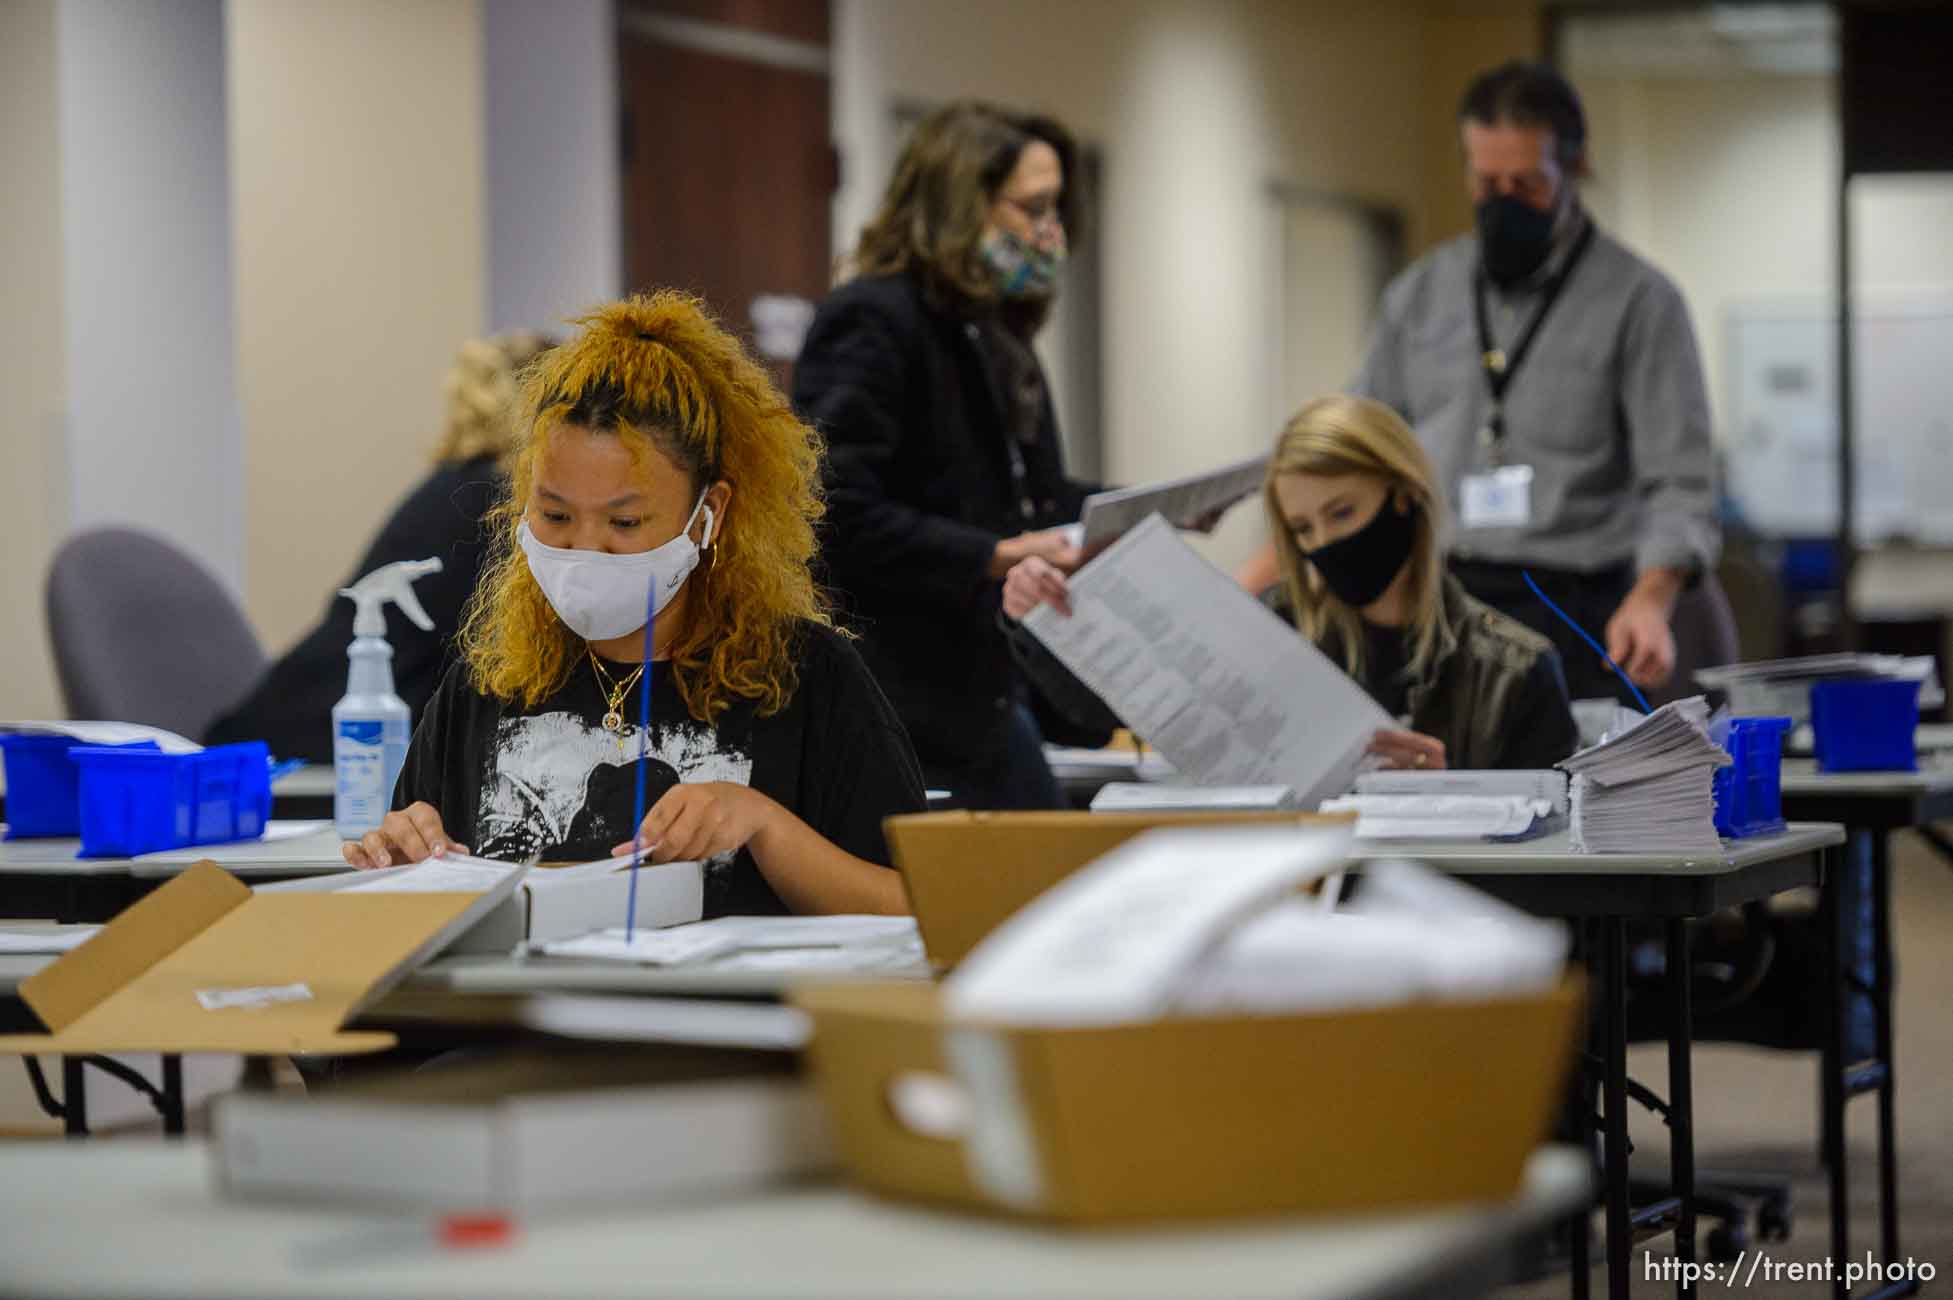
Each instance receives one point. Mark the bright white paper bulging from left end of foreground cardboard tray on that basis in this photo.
(1112, 942)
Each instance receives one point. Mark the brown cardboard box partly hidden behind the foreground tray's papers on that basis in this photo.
(970, 872)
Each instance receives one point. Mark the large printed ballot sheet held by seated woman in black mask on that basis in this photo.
(1216, 682)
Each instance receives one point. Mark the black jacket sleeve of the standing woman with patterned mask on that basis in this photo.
(856, 380)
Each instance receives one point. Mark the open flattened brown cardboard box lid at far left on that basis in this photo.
(206, 965)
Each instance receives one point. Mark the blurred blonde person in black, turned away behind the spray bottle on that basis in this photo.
(292, 704)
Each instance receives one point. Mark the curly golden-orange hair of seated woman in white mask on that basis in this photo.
(661, 374)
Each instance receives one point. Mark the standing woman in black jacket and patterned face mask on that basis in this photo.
(944, 462)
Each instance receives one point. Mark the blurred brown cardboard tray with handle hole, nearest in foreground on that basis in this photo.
(1374, 1110)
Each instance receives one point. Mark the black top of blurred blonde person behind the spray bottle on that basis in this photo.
(292, 704)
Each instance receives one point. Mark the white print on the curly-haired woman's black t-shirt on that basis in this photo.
(554, 780)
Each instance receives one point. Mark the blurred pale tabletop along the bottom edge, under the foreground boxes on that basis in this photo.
(173, 1237)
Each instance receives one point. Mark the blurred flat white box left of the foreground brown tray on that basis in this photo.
(579, 1125)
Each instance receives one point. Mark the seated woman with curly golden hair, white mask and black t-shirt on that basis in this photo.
(659, 460)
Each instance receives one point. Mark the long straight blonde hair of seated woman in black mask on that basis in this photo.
(1337, 436)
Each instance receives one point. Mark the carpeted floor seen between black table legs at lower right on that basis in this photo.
(1759, 1112)
